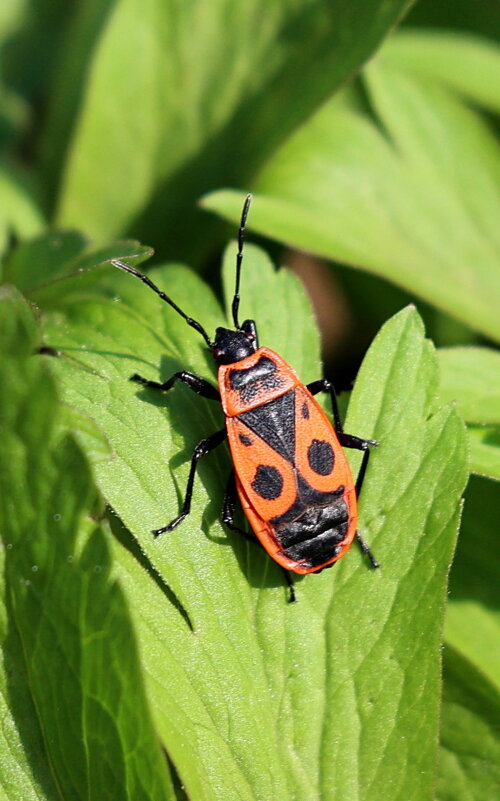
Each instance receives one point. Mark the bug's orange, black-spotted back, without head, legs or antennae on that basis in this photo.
(292, 477)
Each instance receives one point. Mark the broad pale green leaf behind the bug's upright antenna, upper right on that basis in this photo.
(411, 196)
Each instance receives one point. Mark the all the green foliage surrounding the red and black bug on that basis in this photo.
(175, 669)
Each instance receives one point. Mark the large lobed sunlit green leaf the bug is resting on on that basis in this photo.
(332, 697)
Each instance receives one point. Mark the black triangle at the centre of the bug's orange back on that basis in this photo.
(274, 422)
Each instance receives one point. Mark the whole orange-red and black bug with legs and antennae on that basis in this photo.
(289, 470)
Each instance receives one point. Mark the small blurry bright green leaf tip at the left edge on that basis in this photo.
(19, 213)
